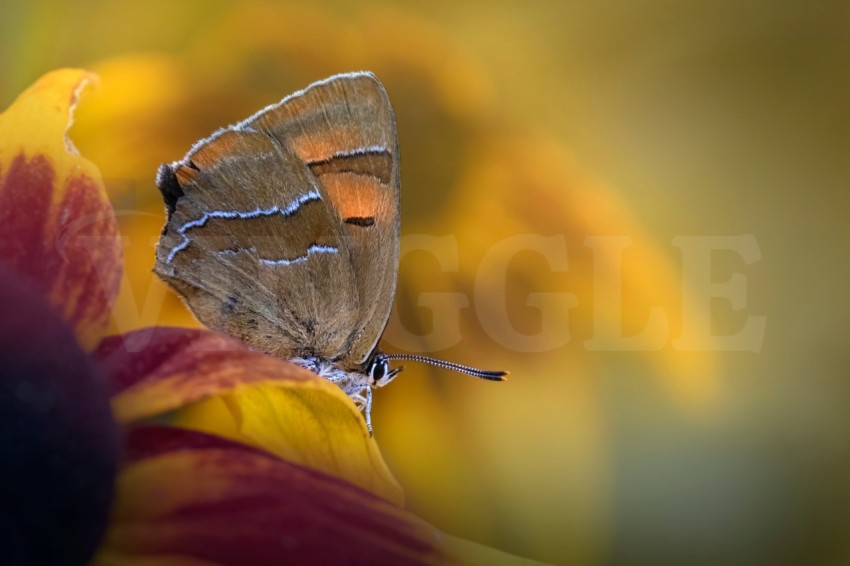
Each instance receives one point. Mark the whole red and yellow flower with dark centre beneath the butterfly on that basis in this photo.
(229, 456)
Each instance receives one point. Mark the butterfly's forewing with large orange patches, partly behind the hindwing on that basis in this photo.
(344, 130)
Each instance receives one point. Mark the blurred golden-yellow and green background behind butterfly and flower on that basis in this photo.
(525, 129)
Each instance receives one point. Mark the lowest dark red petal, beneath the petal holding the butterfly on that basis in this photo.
(185, 497)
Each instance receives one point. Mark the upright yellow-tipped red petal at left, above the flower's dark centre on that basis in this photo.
(57, 227)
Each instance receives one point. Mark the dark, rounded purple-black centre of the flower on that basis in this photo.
(58, 442)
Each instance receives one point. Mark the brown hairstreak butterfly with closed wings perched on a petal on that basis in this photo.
(283, 231)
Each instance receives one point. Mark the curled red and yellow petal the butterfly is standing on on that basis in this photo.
(204, 381)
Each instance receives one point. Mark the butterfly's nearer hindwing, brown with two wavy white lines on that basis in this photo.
(252, 246)
